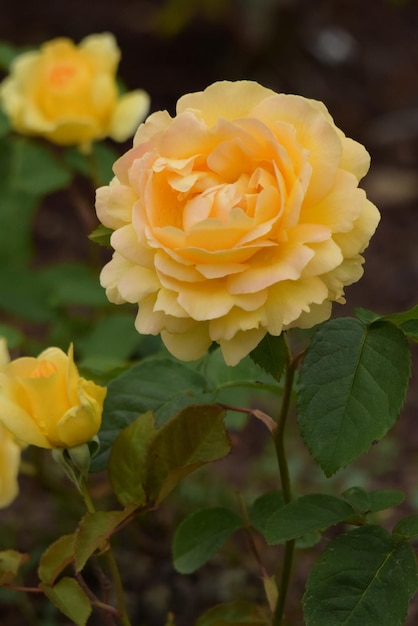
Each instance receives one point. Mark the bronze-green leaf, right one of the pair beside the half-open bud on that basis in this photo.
(192, 438)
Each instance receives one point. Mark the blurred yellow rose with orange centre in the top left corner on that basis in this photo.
(68, 94)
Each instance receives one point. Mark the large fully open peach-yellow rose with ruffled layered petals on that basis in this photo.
(238, 217)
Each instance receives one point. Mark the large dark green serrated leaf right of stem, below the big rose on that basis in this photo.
(351, 388)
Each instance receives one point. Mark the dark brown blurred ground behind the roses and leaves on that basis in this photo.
(360, 58)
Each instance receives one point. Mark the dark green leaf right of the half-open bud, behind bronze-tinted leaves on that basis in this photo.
(159, 384)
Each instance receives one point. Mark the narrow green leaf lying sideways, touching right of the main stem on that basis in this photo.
(307, 514)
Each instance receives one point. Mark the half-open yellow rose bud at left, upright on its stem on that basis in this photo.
(44, 402)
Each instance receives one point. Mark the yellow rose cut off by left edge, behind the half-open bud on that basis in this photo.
(9, 450)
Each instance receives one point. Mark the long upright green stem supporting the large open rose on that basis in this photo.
(283, 583)
